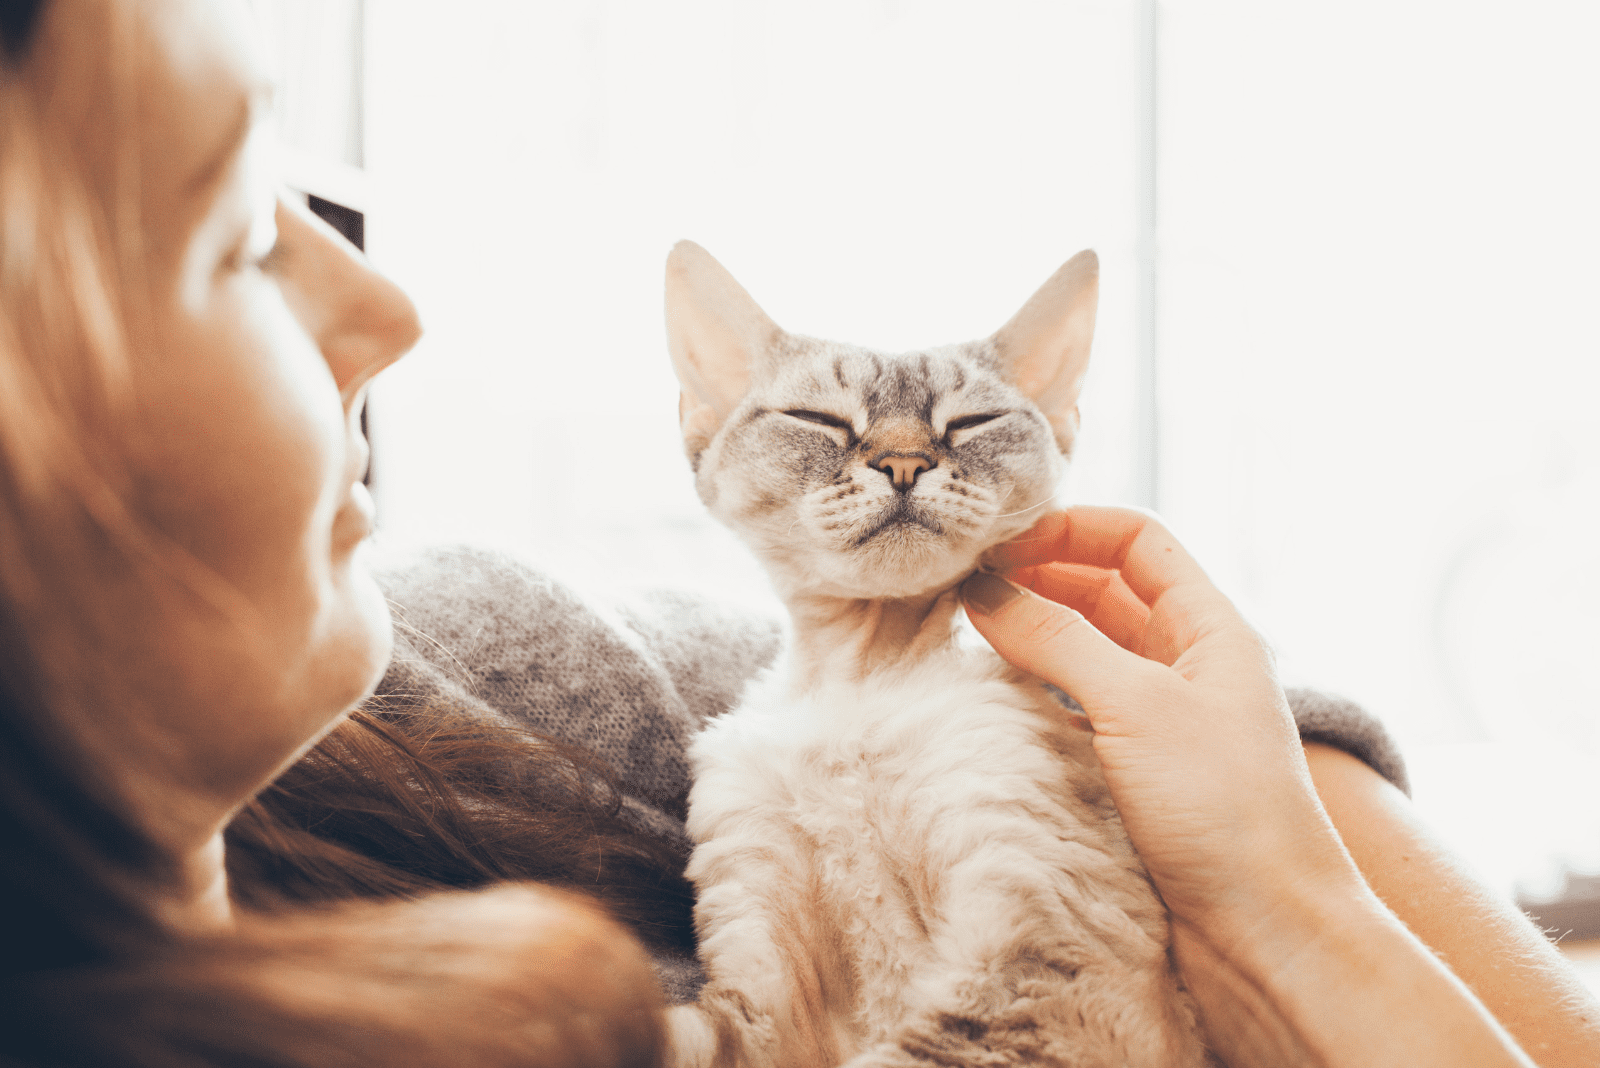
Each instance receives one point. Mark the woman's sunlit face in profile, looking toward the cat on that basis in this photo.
(258, 333)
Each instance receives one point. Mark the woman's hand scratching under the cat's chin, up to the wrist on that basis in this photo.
(1191, 725)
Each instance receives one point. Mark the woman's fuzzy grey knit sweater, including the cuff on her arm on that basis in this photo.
(631, 682)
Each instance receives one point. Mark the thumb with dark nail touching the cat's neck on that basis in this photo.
(1052, 642)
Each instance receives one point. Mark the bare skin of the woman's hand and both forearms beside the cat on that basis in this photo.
(1313, 912)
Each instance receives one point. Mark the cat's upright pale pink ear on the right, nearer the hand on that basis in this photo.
(1046, 348)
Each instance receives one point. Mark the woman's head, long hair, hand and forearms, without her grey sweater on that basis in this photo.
(186, 615)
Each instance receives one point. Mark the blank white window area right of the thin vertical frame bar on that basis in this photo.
(1380, 372)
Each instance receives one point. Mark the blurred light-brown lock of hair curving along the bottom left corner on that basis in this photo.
(513, 978)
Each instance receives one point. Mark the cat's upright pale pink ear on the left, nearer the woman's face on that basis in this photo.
(716, 333)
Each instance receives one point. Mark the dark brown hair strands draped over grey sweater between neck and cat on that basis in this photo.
(382, 810)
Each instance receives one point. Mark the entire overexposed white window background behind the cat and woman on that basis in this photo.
(1348, 340)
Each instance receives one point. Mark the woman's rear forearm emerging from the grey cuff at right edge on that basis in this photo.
(1486, 941)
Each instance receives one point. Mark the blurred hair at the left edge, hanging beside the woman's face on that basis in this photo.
(78, 874)
